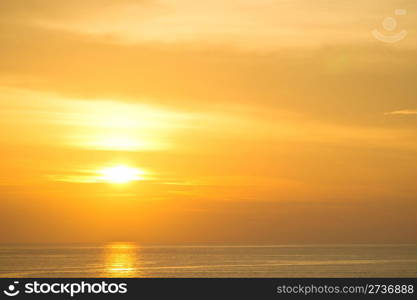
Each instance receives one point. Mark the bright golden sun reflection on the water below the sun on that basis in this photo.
(122, 260)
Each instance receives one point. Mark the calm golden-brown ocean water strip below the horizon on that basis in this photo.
(133, 260)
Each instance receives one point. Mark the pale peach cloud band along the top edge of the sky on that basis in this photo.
(247, 24)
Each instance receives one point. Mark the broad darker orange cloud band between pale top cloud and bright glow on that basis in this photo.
(79, 66)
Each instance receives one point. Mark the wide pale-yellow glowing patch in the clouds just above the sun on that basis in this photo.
(118, 125)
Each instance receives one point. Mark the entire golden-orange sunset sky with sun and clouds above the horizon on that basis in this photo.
(179, 121)
